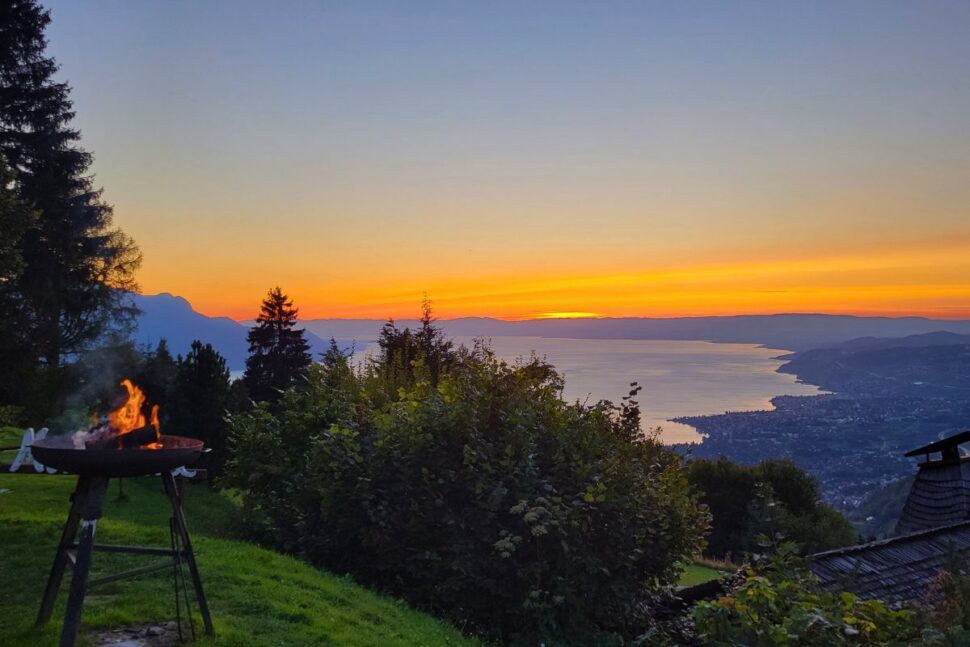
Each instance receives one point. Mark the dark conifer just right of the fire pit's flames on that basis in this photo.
(199, 400)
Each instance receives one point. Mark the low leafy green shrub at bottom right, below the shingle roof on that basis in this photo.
(779, 604)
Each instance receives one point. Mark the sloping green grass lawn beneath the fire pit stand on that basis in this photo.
(256, 596)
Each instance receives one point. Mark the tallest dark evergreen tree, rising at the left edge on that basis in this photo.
(78, 269)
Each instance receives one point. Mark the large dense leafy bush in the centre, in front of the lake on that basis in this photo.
(485, 497)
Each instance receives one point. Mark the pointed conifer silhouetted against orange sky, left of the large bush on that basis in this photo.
(279, 355)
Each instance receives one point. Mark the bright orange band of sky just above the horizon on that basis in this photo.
(930, 279)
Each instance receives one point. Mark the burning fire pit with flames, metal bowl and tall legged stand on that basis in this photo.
(118, 445)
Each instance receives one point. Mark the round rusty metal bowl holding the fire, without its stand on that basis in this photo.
(175, 451)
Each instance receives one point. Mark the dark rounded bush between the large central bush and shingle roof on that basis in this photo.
(773, 497)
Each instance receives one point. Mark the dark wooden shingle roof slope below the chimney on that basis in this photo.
(892, 570)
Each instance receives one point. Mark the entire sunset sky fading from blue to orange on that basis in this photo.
(520, 159)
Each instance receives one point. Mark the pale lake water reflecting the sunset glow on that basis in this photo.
(679, 378)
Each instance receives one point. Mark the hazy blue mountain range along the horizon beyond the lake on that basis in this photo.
(172, 317)
